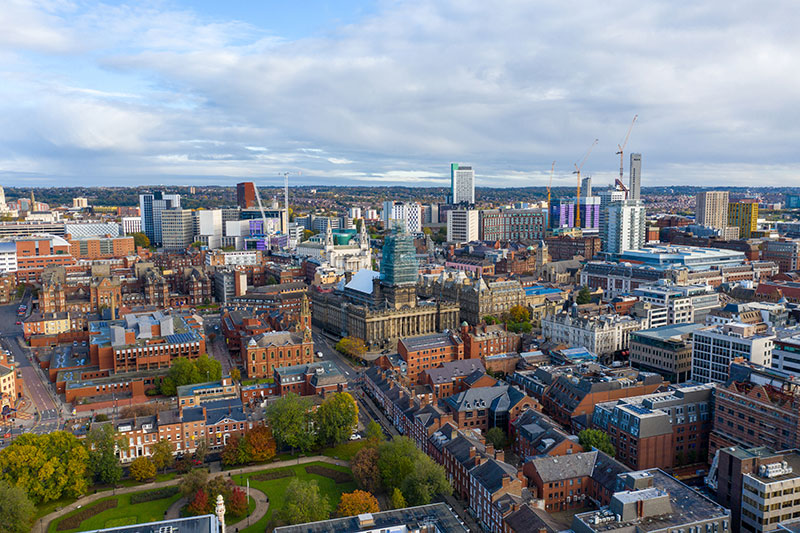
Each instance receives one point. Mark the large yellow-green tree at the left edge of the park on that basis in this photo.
(47, 467)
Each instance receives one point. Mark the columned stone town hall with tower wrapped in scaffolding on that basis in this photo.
(380, 308)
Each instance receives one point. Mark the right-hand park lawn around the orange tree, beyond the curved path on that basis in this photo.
(275, 489)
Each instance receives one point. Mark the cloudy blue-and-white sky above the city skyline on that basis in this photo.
(388, 92)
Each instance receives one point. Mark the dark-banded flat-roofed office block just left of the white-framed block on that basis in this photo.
(666, 350)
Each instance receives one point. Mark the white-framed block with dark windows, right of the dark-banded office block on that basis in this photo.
(714, 347)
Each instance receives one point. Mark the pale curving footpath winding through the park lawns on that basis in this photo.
(43, 523)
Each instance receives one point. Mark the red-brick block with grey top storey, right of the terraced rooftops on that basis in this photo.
(660, 430)
